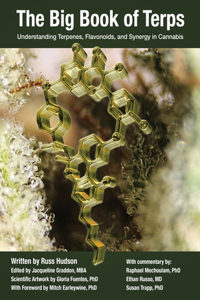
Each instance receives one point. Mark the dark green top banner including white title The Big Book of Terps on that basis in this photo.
(108, 24)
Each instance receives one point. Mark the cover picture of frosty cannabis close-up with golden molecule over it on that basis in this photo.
(99, 150)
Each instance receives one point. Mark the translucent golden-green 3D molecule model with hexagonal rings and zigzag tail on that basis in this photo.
(71, 71)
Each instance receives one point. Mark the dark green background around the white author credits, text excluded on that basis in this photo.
(112, 275)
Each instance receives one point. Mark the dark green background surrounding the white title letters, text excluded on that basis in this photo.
(10, 28)
